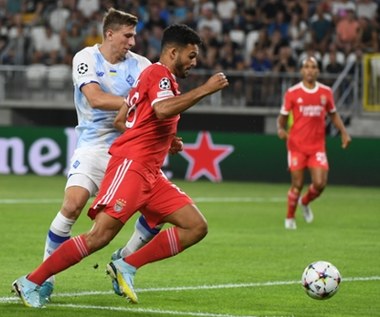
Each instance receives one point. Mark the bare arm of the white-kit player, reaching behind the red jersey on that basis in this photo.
(98, 99)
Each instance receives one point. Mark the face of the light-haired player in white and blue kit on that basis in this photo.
(123, 40)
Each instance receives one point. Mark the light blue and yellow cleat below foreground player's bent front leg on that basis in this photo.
(122, 275)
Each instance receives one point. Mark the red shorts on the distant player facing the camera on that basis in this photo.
(300, 160)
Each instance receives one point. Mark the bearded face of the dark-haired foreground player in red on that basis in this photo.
(186, 59)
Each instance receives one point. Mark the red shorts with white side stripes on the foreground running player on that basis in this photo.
(128, 187)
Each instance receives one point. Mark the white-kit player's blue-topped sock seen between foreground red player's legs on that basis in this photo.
(141, 236)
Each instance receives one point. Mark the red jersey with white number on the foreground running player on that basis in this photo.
(147, 138)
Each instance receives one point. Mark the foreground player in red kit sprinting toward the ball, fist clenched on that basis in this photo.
(133, 179)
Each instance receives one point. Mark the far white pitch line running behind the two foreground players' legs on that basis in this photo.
(9, 201)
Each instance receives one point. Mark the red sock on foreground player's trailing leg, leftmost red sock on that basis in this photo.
(68, 253)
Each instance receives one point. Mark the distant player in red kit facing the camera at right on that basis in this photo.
(309, 101)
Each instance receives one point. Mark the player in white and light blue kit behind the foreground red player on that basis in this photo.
(103, 75)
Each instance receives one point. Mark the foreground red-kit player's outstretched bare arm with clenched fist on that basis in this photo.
(170, 107)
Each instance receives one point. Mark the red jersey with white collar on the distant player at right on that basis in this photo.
(309, 108)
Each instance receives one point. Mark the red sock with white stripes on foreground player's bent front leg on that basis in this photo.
(164, 245)
